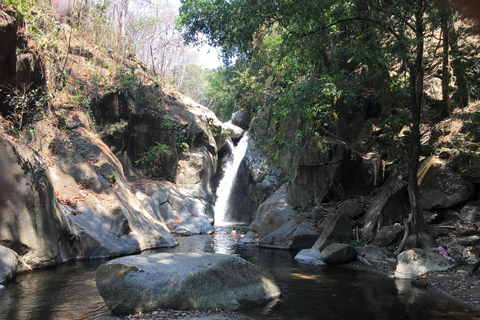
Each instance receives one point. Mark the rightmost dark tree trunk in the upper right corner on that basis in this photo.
(459, 71)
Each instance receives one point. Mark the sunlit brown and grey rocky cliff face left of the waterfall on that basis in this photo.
(69, 192)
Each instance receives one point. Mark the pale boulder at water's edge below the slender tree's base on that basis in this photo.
(415, 262)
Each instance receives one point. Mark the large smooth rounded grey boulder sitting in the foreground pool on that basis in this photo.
(182, 281)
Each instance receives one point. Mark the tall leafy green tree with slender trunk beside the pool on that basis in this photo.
(314, 38)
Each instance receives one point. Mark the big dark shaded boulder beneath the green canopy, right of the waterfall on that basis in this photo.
(323, 168)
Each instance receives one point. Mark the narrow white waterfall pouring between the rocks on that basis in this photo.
(226, 184)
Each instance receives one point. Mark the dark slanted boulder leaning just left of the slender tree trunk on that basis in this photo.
(387, 208)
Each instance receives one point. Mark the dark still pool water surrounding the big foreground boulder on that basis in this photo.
(308, 292)
